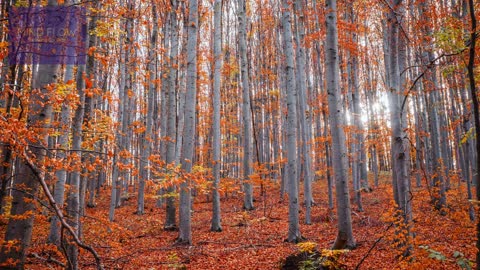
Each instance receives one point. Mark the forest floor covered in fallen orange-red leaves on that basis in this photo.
(255, 239)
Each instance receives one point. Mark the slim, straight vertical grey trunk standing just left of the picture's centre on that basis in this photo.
(217, 140)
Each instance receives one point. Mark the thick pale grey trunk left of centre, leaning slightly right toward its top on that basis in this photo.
(185, 234)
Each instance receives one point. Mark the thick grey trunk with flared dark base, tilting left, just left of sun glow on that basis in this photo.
(339, 151)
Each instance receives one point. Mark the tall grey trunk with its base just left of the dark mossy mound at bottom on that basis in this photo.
(293, 207)
